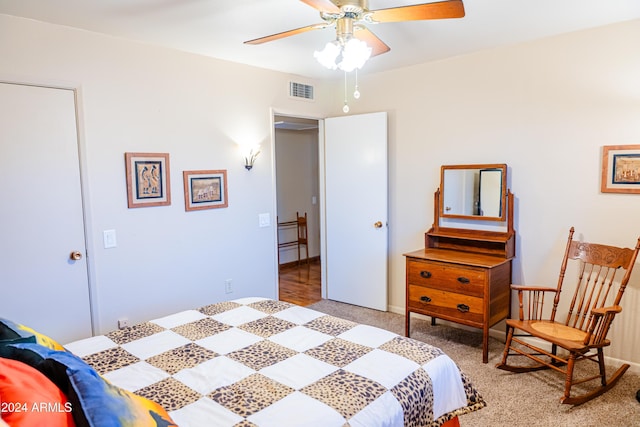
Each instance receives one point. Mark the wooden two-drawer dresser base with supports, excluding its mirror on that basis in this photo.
(462, 276)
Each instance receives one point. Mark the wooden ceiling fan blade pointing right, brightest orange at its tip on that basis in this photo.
(438, 10)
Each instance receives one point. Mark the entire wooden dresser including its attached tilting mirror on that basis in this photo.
(463, 273)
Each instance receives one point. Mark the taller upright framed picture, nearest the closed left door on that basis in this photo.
(147, 179)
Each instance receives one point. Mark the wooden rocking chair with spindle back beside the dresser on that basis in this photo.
(602, 278)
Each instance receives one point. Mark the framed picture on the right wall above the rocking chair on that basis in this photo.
(621, 169)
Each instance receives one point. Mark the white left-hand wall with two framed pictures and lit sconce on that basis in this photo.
(139, 98)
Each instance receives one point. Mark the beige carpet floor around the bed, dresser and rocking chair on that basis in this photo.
(529, 399)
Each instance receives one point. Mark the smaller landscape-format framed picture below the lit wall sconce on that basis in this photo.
(205, 189)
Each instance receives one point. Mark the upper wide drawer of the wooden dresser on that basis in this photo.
(447, 277)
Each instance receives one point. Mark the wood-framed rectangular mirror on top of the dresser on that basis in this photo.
(477, 192)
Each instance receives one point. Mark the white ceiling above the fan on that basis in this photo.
(218, 28)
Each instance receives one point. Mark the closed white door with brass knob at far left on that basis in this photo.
(41, 216)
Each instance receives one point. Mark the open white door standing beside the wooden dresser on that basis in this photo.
(355, 179)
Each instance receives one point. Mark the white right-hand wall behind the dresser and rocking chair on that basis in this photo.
(545, 108)
